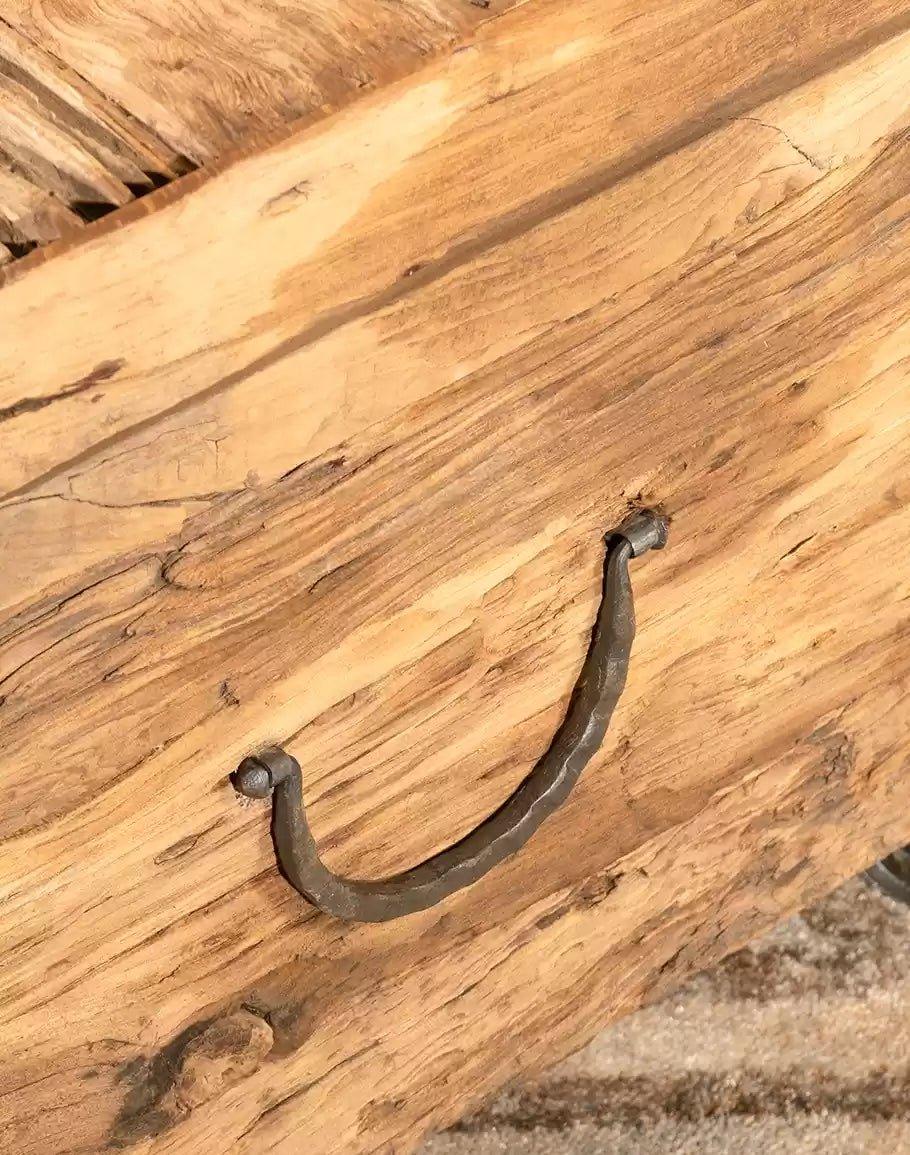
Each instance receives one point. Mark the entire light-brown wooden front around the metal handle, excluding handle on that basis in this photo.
(339, 482)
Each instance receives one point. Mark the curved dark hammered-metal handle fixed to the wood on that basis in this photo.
(602, 681)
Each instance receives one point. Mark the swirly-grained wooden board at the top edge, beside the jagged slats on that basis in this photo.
(207, 77)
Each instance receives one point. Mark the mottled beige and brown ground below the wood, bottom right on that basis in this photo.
(796, 1046)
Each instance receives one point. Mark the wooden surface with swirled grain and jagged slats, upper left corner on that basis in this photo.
(101, 102)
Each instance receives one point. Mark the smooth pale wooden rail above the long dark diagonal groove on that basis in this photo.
(327, 227)
